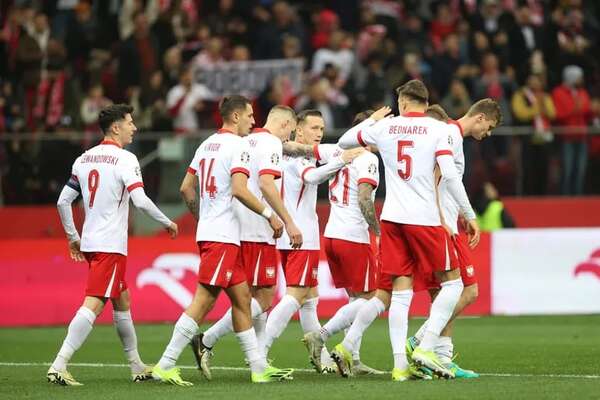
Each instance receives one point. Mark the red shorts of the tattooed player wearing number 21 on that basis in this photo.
(353, 265)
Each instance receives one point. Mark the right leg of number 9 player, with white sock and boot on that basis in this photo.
(126, 331)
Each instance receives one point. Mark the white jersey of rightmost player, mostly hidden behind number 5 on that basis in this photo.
(450, 208)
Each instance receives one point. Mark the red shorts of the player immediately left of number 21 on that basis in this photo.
(301, 267)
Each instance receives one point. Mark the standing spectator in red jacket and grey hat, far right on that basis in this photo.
(572, 104)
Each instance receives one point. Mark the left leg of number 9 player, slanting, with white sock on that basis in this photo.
(80, 327)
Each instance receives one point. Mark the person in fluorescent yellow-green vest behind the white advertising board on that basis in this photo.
(491, 213)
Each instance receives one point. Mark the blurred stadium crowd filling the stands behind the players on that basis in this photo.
(61, 61)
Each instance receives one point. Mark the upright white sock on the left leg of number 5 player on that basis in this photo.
(398, 323)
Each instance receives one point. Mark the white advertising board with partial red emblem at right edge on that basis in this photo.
(546, 271)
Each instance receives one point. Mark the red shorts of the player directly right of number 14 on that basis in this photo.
(260, 263)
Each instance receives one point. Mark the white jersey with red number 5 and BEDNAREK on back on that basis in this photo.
(409, 145)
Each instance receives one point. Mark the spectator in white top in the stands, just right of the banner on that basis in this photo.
(335, 54)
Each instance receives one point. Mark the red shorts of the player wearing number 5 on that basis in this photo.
(414, 249)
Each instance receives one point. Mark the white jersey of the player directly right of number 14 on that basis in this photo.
(265, 158)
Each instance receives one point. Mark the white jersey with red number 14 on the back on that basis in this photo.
(217, 158)
